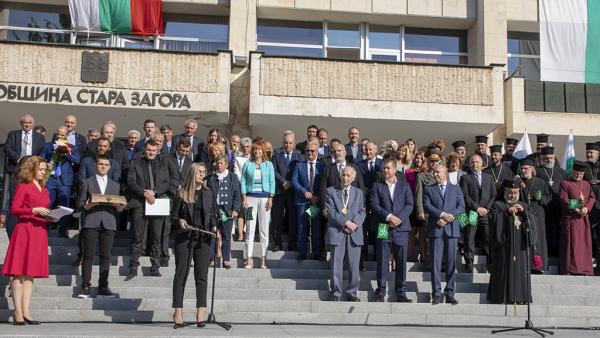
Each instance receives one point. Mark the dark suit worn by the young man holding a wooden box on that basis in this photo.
(99, 224)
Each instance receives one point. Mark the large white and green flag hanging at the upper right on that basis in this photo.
(569, 40)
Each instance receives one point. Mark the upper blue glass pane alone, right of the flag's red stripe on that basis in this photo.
(204, 28)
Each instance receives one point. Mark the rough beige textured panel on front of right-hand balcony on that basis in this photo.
(375, 81)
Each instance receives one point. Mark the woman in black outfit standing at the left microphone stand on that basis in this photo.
(194, 206)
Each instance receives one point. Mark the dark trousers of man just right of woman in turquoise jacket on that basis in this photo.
(282, 213)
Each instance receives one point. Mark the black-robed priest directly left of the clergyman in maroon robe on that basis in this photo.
(553, 175)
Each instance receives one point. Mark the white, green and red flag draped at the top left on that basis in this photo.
(142, 17)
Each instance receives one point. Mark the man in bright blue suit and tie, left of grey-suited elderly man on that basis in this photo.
(305, 182)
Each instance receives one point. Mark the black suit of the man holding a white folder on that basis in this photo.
(138, 180)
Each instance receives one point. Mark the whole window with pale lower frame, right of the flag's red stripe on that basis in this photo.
(196, 34)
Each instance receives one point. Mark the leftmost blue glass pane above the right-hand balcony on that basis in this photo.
(290, 32)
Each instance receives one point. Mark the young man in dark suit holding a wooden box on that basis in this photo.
(99, 226)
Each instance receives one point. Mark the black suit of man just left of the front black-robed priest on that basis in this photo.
(477, 196)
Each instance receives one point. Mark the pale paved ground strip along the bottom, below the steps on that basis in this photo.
(165, 330)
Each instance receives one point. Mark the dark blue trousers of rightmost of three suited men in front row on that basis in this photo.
(442, 249)
